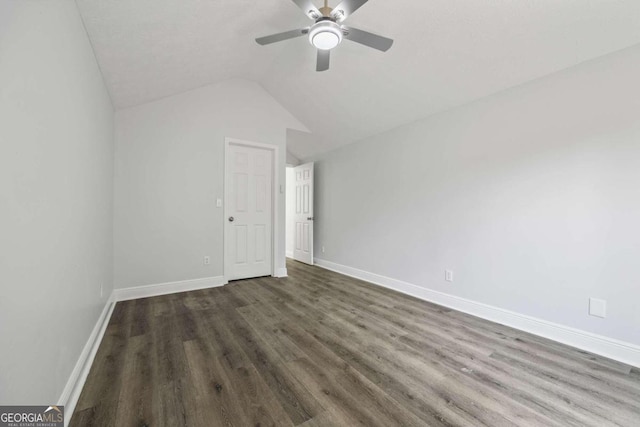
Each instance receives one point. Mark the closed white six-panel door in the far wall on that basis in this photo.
(248, 212)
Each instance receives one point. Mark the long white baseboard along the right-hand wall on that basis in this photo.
(608, 347)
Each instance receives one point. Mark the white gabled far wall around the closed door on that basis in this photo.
(169, 172)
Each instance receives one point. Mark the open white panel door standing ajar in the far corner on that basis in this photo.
(303, 242)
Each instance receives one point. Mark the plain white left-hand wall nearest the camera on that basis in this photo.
(56, 174)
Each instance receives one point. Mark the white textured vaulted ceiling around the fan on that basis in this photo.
(446, 53)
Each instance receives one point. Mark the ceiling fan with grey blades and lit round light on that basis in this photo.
(327, 32)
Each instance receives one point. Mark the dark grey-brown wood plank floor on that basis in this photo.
(322, 349)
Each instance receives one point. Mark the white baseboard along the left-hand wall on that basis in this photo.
(75, 383)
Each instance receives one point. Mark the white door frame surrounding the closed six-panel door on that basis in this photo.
(275, 163)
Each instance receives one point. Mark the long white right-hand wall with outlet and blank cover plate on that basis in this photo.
(531, 196)
